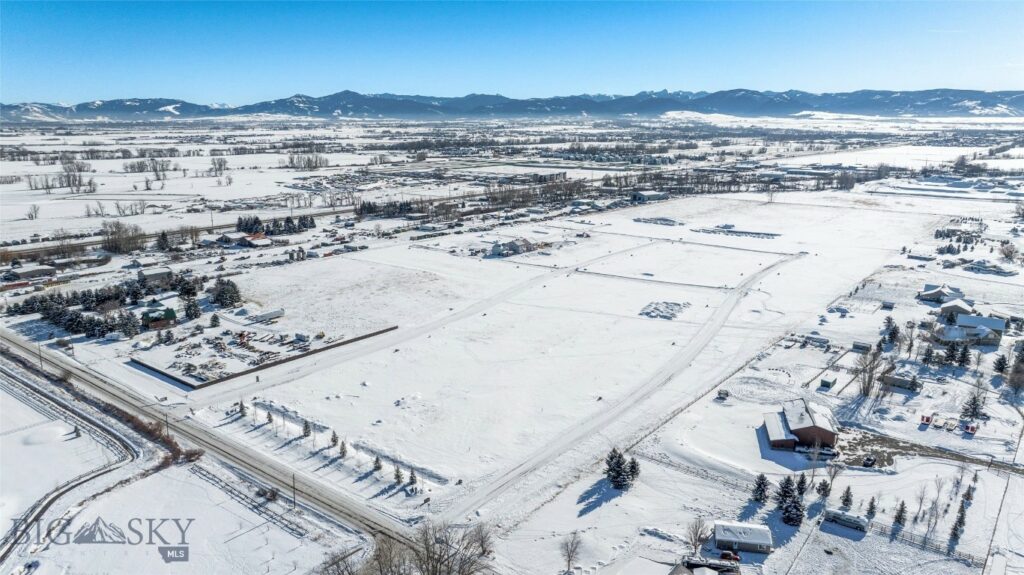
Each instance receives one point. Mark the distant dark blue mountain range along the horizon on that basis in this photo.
(354, 105)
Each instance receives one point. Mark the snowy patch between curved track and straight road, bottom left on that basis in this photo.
(225, 537)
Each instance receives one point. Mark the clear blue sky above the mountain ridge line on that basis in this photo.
(240, 53)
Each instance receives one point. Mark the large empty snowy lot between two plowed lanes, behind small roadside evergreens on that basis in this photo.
(477, 395)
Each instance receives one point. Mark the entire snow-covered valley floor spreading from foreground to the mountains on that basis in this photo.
(506, 380)
